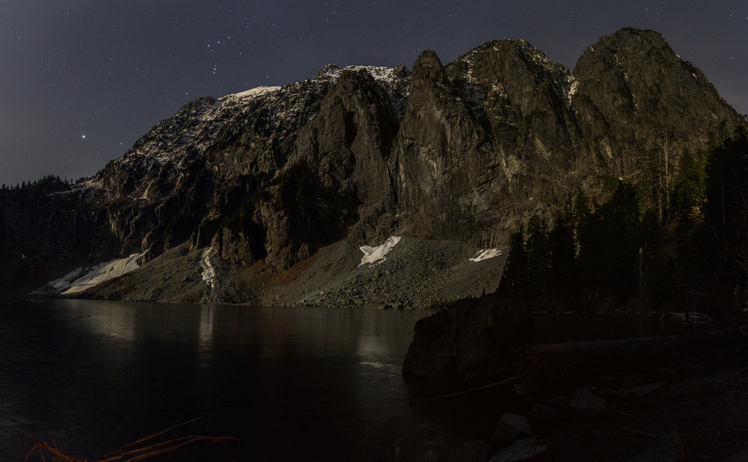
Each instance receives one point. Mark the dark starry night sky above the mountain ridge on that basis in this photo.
(82, 80)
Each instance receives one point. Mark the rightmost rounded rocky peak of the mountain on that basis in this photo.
(630, 89)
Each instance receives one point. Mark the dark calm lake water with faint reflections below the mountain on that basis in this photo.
(289, 382)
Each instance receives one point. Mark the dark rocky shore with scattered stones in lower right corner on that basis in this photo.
(687, 409)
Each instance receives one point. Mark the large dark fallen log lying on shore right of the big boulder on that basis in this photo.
(552, 364)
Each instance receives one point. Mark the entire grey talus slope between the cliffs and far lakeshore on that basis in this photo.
(414, 274)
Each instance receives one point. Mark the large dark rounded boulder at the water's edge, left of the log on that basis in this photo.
(472, 334)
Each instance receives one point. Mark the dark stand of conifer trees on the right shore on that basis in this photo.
(668, 237)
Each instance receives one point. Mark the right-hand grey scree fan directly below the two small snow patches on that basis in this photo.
(414, 274)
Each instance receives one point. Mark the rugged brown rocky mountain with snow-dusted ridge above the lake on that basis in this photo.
(464, 152)
